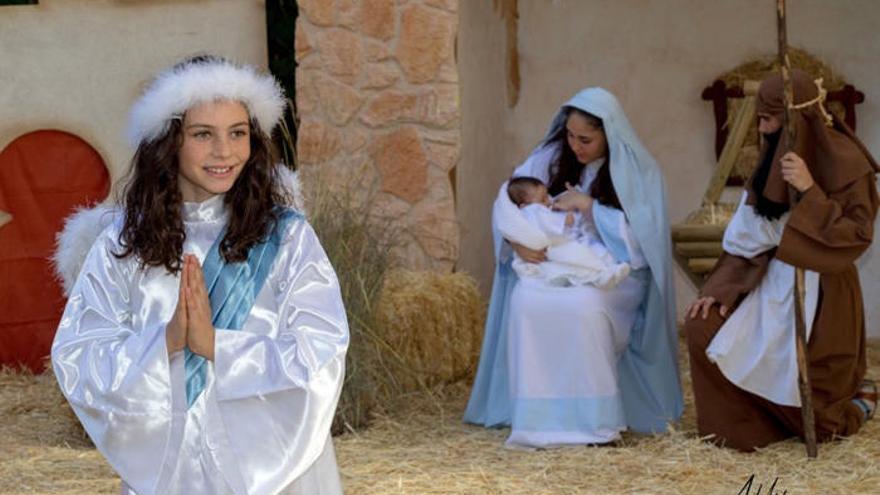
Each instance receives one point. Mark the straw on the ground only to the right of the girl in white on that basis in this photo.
(425, 448)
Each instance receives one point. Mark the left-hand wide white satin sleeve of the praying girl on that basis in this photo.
(116, 376)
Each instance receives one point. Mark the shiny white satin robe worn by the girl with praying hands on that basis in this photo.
(262, 423)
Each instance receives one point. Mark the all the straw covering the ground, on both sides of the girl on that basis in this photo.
(422, 447)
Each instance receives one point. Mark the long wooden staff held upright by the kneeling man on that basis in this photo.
(800, 326)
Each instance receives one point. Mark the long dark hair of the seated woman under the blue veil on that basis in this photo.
(567, 169)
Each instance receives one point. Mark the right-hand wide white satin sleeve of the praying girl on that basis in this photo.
(278, 393)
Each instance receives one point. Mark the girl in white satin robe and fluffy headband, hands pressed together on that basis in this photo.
(203, 343)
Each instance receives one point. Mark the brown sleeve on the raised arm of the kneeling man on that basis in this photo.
(826, 233)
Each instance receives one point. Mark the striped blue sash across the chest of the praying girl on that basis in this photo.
(232, 290)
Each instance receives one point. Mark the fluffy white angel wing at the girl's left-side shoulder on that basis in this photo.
(73, 243)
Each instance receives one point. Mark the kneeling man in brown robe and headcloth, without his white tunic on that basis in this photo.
(828, 228)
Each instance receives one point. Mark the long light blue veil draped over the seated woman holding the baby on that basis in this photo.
(648, 369)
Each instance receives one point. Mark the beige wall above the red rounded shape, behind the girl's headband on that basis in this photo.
(77, 65)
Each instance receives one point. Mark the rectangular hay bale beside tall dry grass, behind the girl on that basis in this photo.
(433, 323)
